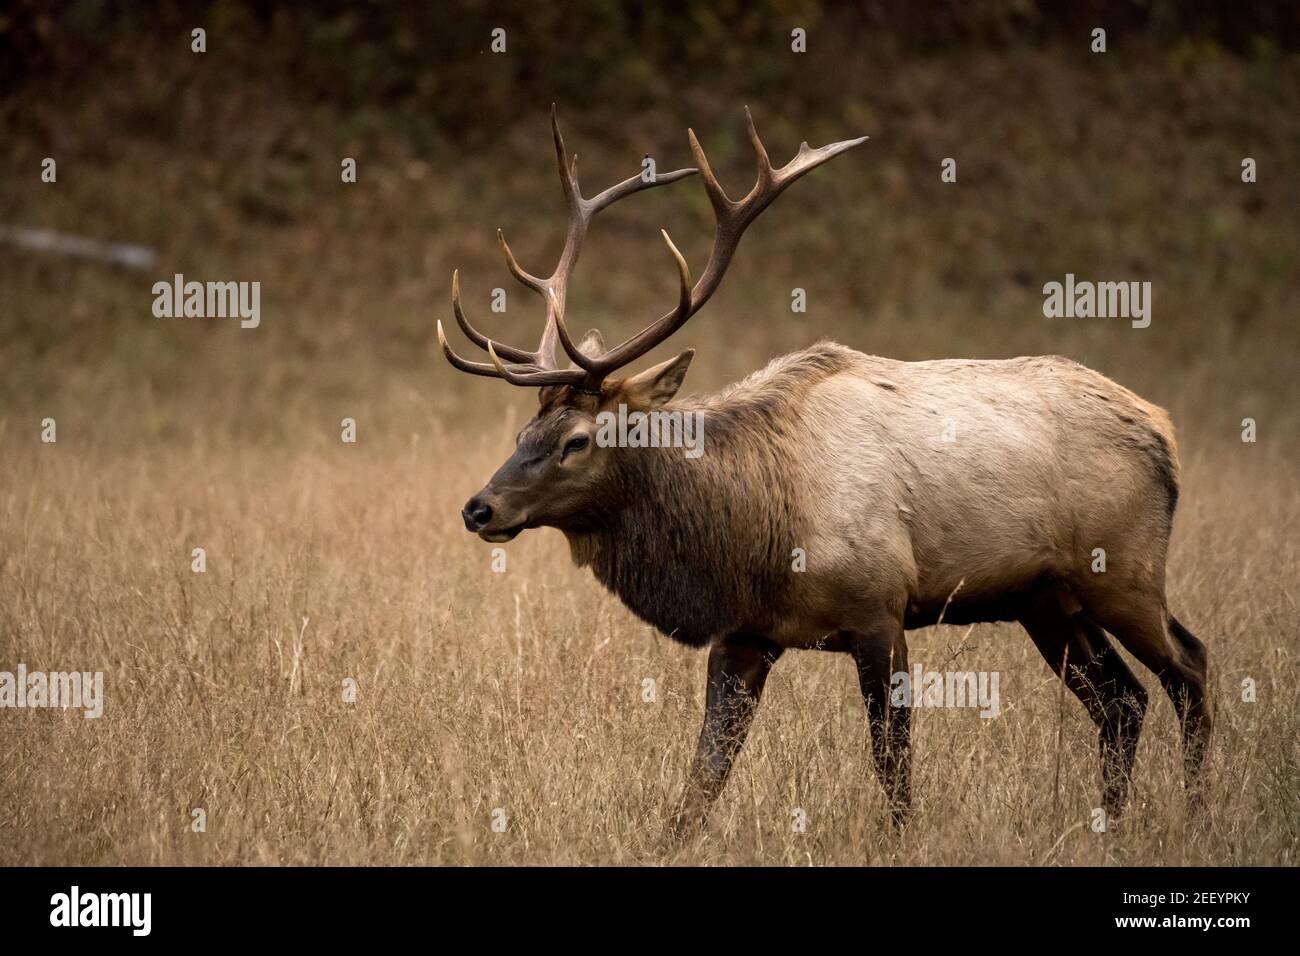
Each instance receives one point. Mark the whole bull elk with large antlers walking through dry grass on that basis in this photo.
(842, 455)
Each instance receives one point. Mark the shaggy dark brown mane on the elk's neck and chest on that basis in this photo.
(703, 547)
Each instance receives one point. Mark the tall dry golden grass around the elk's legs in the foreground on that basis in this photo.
(523, 690)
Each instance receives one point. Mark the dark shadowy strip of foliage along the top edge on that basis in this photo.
(427, 58)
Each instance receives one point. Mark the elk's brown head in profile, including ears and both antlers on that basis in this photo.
(558, 477)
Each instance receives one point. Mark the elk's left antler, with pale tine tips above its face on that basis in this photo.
(540, 367)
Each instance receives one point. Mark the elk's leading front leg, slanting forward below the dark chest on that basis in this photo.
(738, 669)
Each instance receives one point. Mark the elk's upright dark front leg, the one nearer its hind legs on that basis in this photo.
(881, 654)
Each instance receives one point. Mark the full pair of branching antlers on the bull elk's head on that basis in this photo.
(733, 219)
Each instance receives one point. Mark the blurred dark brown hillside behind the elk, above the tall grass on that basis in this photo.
(1124, 166)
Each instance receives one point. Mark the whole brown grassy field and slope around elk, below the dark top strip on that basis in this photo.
(522, 690)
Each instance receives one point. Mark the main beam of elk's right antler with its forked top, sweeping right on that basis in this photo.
(733, 219)
